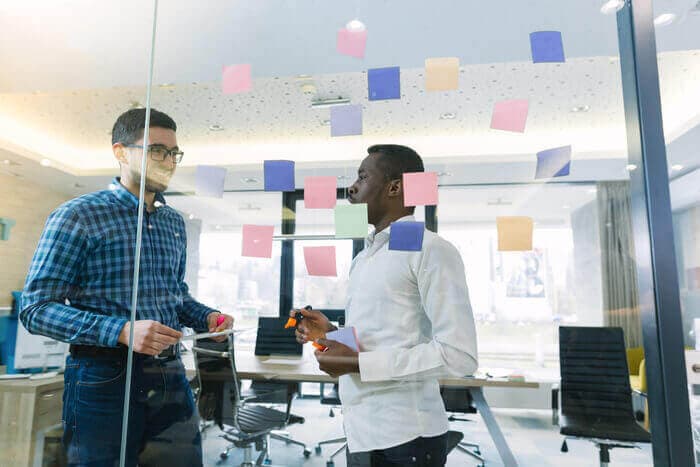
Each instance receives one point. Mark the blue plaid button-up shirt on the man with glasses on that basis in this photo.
(79, 285)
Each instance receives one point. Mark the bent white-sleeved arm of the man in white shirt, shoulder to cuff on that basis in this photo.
(452, 351)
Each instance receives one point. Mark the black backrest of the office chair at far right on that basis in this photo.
(594, 375)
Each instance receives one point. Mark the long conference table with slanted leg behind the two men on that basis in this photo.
(305, 369)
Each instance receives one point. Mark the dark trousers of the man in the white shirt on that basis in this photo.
(420, 452)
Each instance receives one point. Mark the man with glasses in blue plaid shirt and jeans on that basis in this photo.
(79, 288)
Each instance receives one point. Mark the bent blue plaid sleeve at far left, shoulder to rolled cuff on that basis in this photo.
(54, 271)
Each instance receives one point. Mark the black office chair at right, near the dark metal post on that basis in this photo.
(596, 397)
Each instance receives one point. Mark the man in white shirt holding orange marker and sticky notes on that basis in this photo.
(414, 324)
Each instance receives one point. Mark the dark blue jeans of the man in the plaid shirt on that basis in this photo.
(163, 423)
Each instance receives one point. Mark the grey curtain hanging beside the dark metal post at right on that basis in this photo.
(618, 265)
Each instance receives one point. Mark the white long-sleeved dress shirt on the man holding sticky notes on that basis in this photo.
(414, 325)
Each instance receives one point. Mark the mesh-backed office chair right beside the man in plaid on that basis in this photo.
(219, 399)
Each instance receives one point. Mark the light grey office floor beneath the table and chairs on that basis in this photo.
(533, 439)
